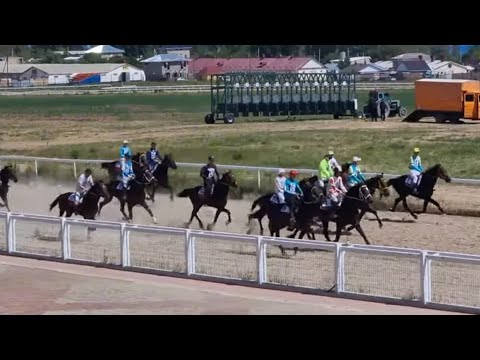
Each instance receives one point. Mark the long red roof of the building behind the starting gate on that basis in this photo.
(284, 64)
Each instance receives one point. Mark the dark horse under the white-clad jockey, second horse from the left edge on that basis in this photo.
(87, 208)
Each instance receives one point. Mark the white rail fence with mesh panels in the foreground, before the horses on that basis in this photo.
(397, 275)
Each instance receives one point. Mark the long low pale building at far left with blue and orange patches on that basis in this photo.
(54, 74)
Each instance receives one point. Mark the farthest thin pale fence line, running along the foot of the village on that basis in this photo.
(109, 89)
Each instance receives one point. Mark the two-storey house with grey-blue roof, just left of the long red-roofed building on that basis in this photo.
(166, 67)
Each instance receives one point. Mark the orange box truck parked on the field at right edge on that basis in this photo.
(446, 100)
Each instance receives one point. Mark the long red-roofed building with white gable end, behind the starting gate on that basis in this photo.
(205, 68)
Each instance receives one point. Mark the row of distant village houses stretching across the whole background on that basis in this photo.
(175, 63)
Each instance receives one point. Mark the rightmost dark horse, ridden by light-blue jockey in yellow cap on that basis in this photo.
(425, 189)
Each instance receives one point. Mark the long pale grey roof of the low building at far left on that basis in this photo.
(60, 69)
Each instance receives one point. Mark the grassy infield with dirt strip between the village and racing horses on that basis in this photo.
(93, 127)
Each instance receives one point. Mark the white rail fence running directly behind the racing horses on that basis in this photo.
(258, 169)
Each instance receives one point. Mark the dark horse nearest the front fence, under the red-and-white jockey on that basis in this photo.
(358, 198)
